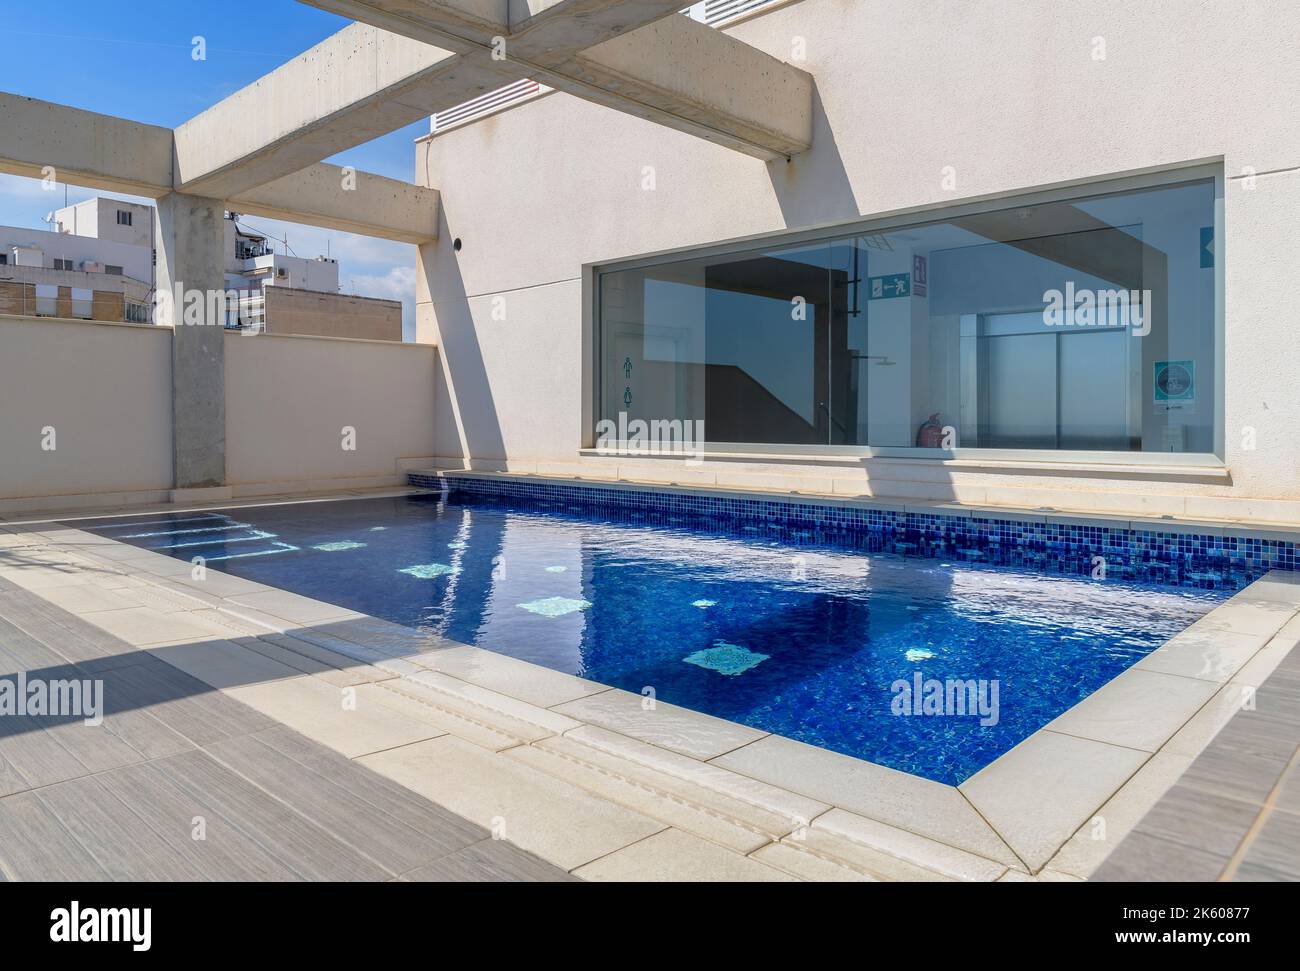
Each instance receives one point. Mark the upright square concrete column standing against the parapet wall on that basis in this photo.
(189, 239)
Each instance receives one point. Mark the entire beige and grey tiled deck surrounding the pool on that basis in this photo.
(275, 713)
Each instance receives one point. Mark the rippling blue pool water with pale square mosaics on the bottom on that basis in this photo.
(811, 643)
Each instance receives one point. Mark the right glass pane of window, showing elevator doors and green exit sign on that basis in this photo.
(1076, 326)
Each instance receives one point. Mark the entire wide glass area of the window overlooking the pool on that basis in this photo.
(1086, 324)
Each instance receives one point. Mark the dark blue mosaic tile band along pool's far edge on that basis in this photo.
(1185, 554)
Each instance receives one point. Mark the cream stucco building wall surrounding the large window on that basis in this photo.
(1008, 93)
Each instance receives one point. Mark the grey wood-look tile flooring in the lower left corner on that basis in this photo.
(184, 783)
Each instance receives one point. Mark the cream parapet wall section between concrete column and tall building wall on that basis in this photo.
(307, 414)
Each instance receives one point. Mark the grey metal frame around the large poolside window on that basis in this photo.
(916, 218)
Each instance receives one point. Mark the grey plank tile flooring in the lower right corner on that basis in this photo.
(1236, 813)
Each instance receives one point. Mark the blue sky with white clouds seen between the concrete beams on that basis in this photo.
(135, 60)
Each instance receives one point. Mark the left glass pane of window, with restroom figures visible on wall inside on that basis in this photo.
(738, 344)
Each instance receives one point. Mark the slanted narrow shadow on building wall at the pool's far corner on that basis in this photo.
(467, 398)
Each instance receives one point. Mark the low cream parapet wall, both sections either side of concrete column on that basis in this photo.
(86, 414)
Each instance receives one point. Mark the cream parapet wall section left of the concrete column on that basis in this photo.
(85, 409)
